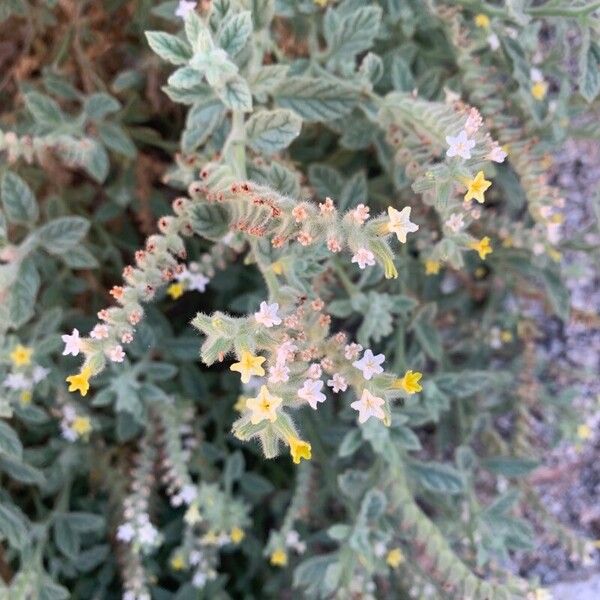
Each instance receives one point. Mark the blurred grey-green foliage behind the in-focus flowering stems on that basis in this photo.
(93, 153)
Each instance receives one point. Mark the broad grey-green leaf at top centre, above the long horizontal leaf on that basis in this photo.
(352, 34)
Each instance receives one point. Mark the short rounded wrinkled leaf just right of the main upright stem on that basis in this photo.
(269, 131)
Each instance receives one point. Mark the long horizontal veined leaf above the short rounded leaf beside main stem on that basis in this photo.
(316, 99)
